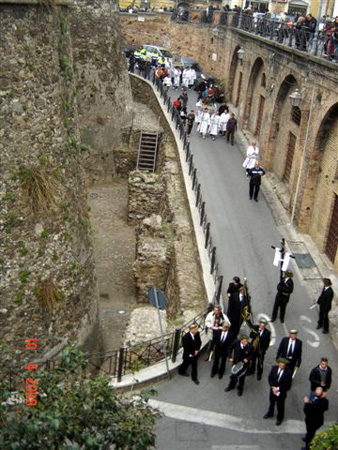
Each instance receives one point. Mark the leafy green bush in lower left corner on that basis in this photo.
(73, 411)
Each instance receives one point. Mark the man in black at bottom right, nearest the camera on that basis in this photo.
(314, 414)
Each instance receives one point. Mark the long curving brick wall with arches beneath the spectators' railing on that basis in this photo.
(300, 145)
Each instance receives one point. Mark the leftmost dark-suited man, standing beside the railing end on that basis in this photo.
(191, 342)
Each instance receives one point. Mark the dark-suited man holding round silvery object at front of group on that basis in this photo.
(242, 352)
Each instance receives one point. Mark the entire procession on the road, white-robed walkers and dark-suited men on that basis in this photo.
(237, 346)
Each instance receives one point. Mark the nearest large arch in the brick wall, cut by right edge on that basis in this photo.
(321, 186)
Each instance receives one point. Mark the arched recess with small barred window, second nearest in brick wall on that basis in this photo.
(280, 127)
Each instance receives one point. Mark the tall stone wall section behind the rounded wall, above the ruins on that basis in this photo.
(102, 84)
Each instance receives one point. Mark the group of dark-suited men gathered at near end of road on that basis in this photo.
(246, 351)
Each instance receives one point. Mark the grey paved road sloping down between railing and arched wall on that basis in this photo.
(204, 416)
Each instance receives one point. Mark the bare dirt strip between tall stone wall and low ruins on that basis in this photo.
(114, 251)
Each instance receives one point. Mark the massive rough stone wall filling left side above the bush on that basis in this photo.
(63, 91)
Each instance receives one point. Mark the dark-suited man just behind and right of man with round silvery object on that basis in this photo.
(261, 337)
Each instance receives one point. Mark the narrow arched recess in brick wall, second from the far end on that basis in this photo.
(254, 85)
